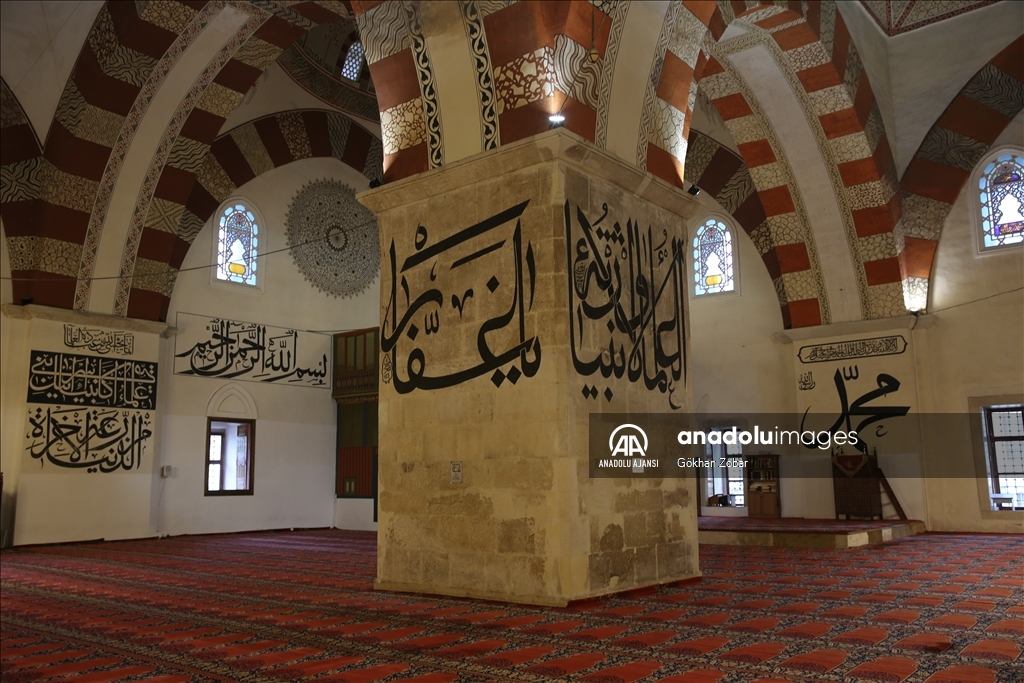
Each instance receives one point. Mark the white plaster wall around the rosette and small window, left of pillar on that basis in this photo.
(295, 437)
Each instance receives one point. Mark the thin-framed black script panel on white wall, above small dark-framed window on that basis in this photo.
(233, 350)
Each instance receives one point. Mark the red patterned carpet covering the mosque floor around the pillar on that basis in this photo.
(300, 606)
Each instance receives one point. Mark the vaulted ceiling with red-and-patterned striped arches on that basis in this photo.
(126, 124)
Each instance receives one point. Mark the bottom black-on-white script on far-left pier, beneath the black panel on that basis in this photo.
(95, 440)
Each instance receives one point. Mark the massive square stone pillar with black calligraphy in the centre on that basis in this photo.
(516, 290)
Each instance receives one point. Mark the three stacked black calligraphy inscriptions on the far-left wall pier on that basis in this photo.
(91, 413)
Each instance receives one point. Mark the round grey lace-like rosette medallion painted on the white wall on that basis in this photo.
(333, 238)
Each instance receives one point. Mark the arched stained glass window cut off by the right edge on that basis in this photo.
(1002, 193)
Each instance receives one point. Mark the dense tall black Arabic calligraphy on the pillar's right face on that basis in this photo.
(626, 287)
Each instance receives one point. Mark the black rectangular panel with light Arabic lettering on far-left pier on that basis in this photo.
(89, 380)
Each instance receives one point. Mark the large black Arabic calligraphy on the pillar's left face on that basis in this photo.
(458, 307)
